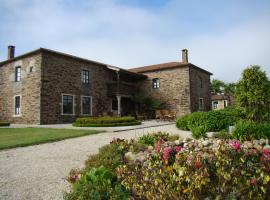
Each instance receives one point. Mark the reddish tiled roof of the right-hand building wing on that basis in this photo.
(164, 66)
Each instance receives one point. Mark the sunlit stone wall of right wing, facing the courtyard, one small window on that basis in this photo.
(174, 91)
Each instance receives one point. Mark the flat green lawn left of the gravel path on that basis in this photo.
(19, 137)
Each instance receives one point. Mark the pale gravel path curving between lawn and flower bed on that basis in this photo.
(38, 172)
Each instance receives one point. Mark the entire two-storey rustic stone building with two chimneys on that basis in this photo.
(47, 87)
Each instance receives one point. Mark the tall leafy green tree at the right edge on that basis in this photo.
(253, 94)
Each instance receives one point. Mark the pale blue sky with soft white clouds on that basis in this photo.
(223, 37)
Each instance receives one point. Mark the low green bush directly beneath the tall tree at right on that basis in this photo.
(248, 130)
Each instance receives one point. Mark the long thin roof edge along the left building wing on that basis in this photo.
(40, 50)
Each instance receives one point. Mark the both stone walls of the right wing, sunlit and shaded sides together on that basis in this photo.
(180, 88)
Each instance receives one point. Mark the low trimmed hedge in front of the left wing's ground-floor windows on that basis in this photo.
(106, 121)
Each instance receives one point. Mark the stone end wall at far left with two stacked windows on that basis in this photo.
(28, 88)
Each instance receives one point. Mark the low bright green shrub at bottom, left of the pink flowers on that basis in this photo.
(97, 183)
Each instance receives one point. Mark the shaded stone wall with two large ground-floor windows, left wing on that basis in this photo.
(62, 75)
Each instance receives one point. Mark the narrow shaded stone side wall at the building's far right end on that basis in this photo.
(200, 88)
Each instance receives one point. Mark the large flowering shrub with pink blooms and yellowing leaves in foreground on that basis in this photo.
(228, 170)
